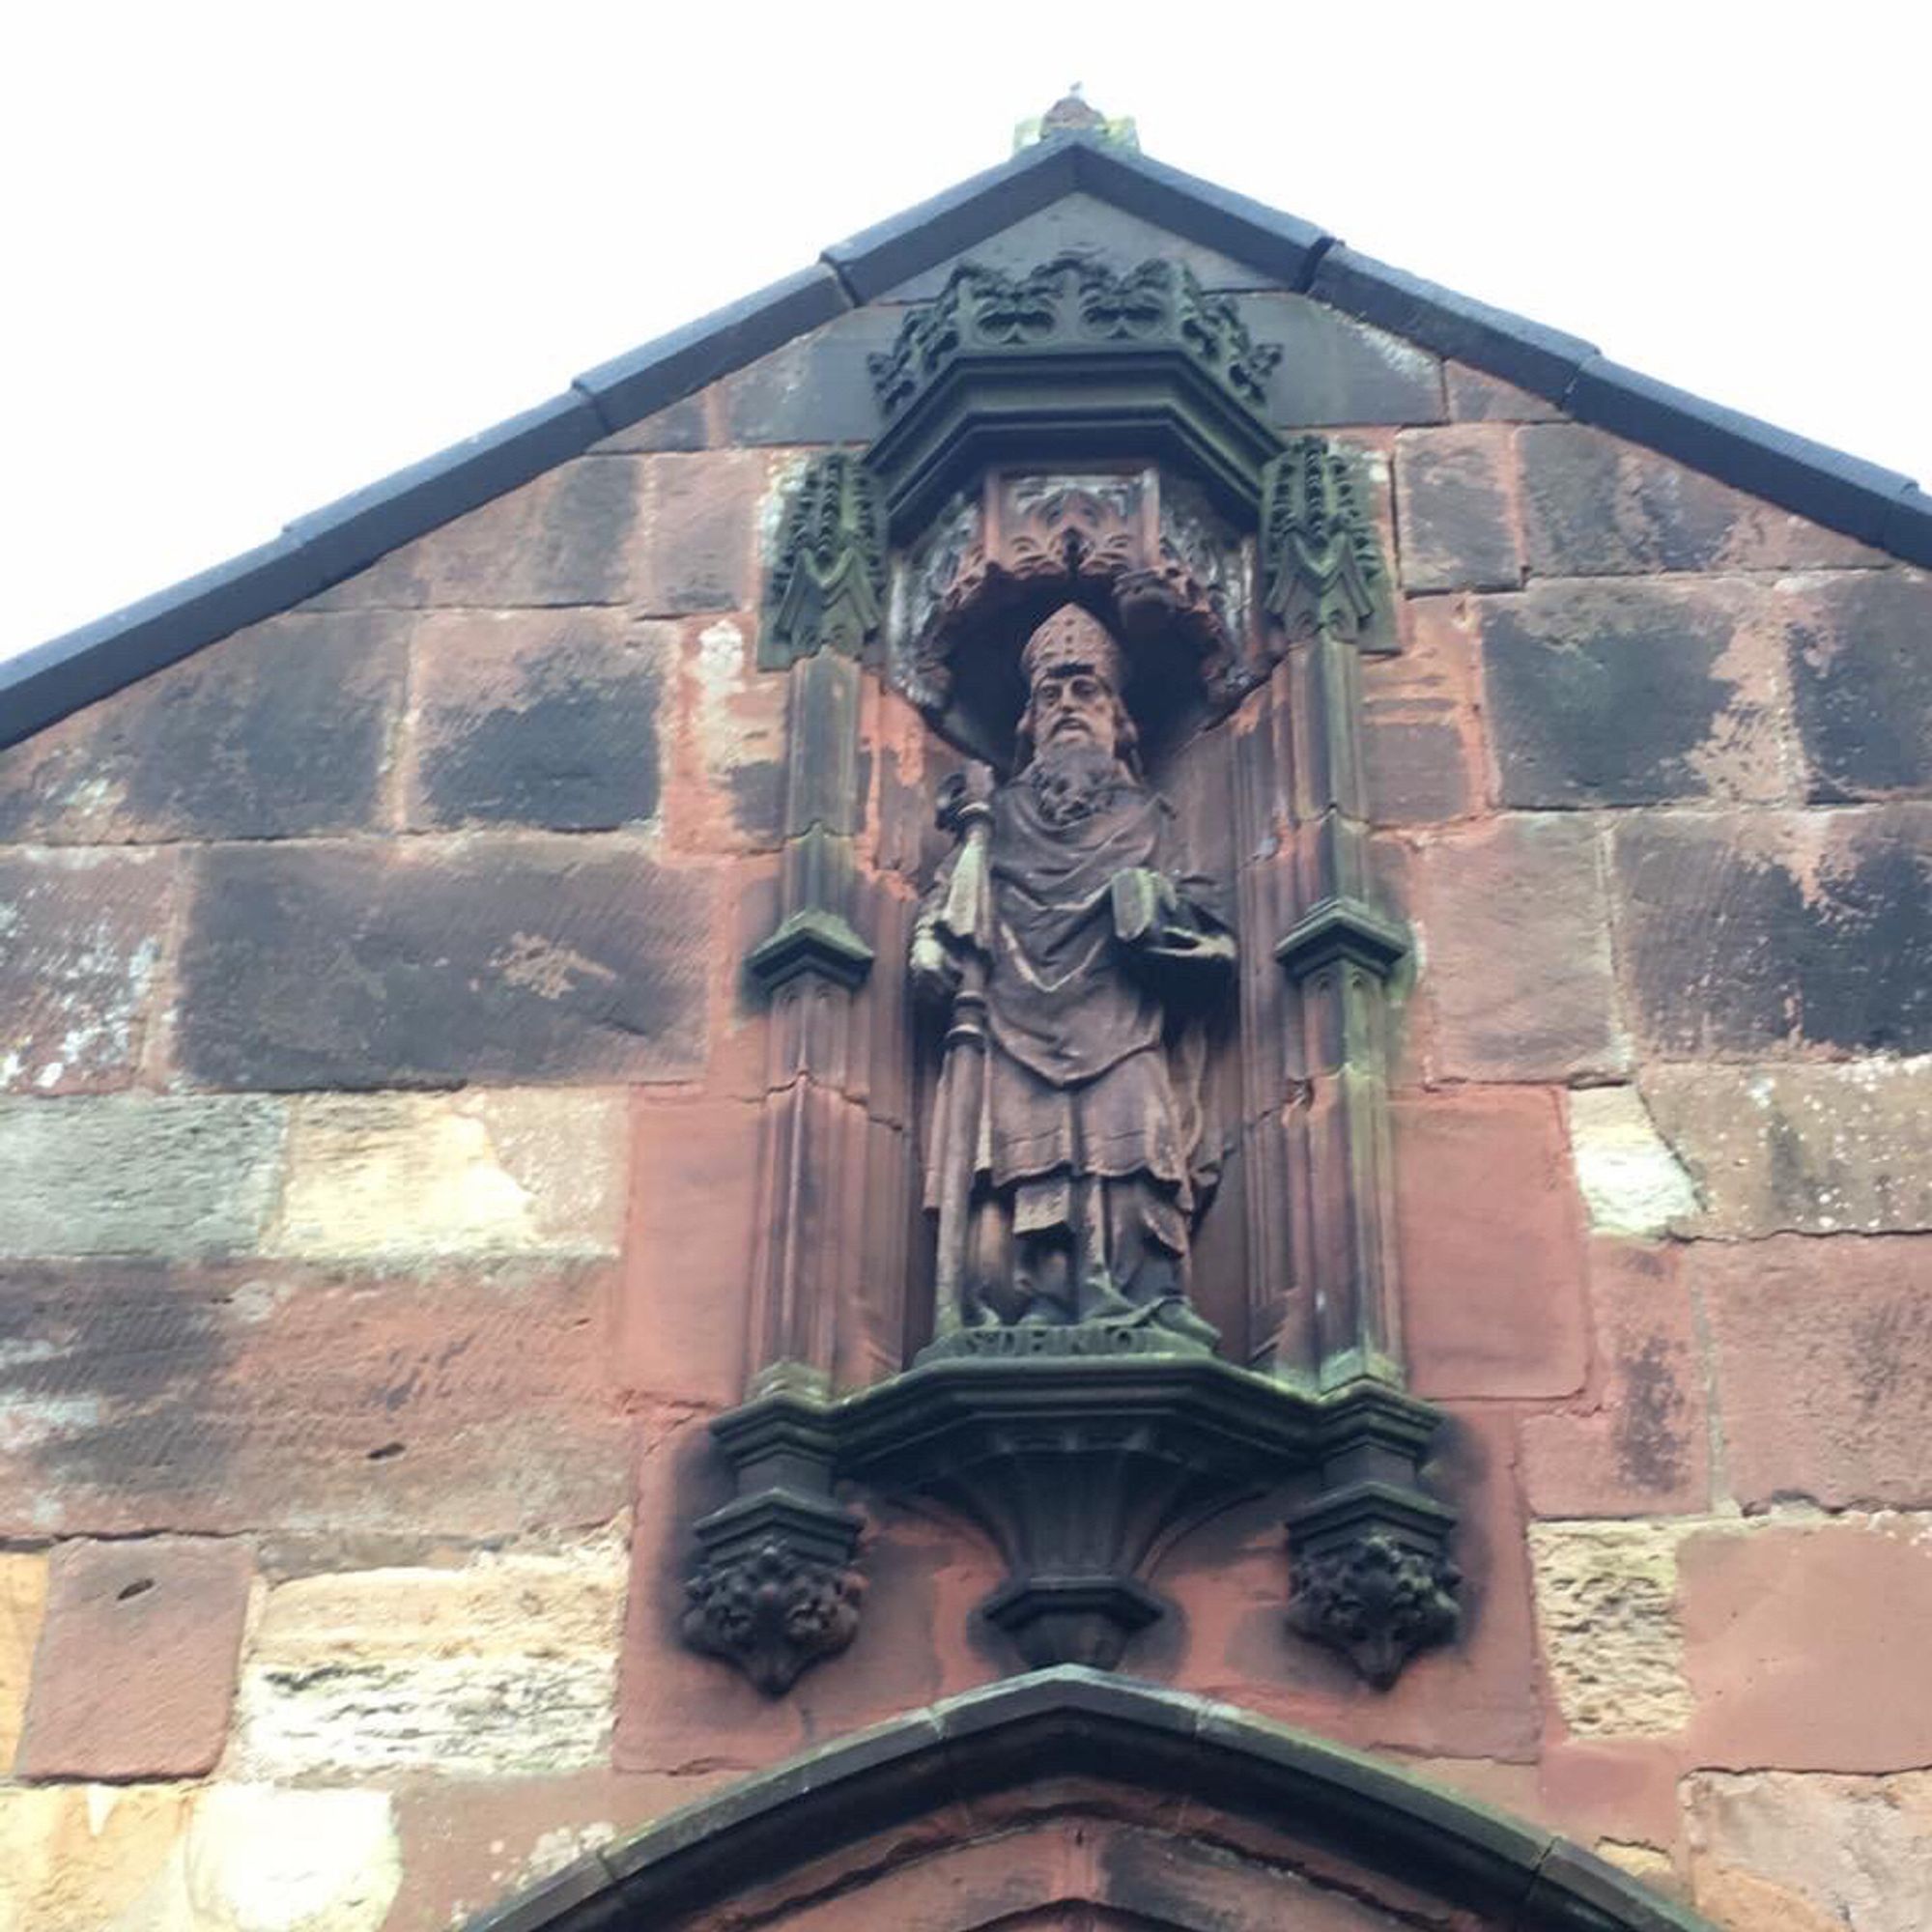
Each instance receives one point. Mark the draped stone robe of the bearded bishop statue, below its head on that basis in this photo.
(1091, 1156)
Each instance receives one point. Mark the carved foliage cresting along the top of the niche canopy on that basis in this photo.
(1073, 300)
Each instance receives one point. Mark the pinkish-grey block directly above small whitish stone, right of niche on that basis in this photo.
(1518, 957)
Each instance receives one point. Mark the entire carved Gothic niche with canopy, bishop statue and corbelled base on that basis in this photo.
(1158, 1270)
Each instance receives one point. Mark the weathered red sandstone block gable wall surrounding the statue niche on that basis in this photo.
(380, 1152)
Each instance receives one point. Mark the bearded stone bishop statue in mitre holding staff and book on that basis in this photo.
(1067, 1156)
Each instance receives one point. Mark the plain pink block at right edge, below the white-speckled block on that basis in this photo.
(1825, 1367)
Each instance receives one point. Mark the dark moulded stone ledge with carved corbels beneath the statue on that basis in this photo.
(1081, 1460)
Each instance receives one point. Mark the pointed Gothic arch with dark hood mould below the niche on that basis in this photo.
(1075, 1800)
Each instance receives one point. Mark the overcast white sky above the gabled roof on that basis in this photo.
(268, 254)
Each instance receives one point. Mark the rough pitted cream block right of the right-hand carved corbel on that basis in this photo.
(1606, 1603)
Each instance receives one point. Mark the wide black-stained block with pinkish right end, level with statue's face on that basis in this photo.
(1626, 695)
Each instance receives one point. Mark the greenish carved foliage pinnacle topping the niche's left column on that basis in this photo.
(828, 579)
